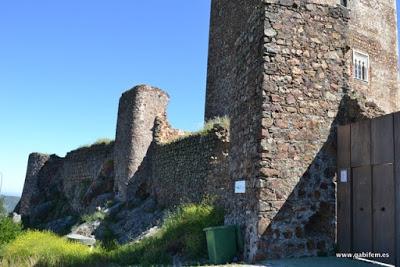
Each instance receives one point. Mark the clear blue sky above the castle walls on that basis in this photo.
(64, 65)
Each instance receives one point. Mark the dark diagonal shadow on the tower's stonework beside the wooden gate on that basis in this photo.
(305, 225)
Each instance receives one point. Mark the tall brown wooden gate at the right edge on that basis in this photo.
(368, 188)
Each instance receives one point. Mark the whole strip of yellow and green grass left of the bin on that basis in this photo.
(181, 233)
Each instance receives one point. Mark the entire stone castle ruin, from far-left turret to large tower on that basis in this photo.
(286, 73)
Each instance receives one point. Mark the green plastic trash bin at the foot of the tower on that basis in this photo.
(221, 243)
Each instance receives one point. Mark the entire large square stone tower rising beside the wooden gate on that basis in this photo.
(287, 72)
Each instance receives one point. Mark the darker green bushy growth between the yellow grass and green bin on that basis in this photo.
(181, 233)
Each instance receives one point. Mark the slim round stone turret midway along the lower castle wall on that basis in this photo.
(138, 109)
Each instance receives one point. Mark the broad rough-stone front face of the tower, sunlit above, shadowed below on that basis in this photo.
(305, 95)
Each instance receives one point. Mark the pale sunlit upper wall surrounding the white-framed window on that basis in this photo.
(373, 30)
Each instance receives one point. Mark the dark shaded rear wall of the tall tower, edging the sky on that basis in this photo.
(228, 22)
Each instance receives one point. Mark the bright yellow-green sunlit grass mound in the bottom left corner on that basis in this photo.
(34, 248)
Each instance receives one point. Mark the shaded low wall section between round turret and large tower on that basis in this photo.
(192, 168)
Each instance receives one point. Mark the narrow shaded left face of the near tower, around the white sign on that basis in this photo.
(245, 115)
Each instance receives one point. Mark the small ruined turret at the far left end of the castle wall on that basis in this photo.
(35, 164)
